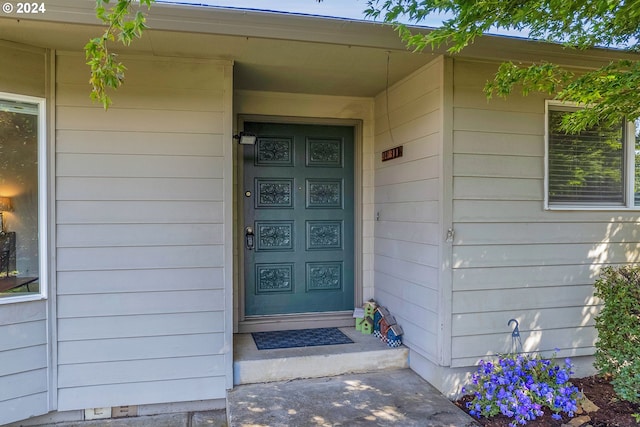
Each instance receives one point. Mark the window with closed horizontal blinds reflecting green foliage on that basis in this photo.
(589, 168)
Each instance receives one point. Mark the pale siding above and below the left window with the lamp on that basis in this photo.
(24, 356)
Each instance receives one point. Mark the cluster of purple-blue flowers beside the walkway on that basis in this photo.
(520, 386)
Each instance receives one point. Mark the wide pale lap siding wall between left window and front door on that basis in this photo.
(141, 239)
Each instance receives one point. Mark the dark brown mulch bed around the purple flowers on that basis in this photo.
(611, 412)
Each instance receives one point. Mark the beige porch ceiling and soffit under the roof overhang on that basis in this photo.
(260, 63)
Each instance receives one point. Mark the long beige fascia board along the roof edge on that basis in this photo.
(318, 29)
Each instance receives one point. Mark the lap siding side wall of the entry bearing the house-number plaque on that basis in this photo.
(407, 198)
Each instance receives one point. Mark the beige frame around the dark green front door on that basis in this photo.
(242, 324)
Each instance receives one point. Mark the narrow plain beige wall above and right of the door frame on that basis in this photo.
(332, 107)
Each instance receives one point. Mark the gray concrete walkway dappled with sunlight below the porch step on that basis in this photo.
(384, 398)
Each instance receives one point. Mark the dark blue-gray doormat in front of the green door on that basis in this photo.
(299, 338)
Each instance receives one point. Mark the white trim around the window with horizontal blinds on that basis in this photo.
(629, 180)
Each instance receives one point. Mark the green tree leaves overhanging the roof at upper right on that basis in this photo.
(609, 93)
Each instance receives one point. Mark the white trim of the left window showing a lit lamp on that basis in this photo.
(43, 244)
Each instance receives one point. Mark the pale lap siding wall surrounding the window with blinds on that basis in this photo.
(511, 258)
